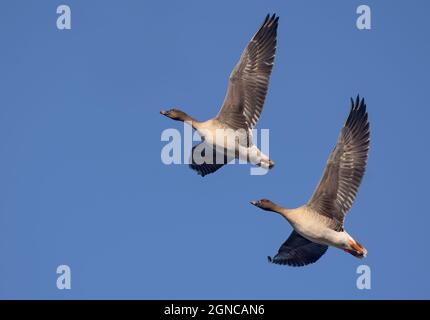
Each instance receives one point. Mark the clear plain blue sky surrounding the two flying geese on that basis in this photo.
(82, 183)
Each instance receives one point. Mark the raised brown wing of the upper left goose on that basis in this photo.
(249, 79)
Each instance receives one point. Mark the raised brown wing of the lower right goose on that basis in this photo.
(345, 168)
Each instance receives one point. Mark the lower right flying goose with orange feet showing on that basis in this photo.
(319, 223)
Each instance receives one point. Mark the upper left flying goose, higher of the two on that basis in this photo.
(229, 135)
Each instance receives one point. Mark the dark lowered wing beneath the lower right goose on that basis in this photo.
(298, 251)
